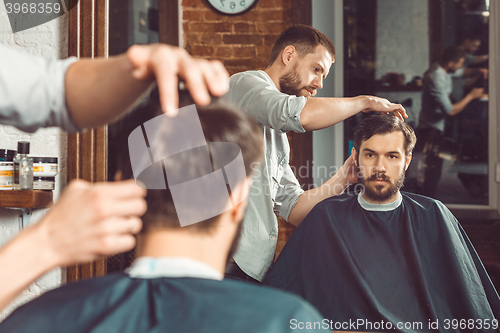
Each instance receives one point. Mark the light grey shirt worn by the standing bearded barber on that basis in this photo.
(274, 183)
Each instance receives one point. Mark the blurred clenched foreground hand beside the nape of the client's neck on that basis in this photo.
(90, 220)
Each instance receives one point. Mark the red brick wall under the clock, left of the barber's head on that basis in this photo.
(241, 42)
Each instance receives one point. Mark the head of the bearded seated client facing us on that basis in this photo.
(382, 150)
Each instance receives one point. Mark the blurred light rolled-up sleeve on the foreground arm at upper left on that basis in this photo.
(32, 93)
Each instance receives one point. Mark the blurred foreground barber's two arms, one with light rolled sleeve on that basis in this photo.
(89, 220)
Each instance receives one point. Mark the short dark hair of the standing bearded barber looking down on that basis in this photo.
(304, 38)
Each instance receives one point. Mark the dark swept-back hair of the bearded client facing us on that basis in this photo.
(382, 124)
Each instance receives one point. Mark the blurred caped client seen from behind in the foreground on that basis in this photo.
(176, 283)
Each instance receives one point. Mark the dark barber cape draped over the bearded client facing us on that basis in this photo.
(413, 264)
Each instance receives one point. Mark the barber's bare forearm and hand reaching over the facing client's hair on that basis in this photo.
(321, 112)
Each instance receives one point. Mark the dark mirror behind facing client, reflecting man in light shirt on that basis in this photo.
(432, 57)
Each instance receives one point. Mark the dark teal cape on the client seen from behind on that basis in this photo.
(118, 303)
